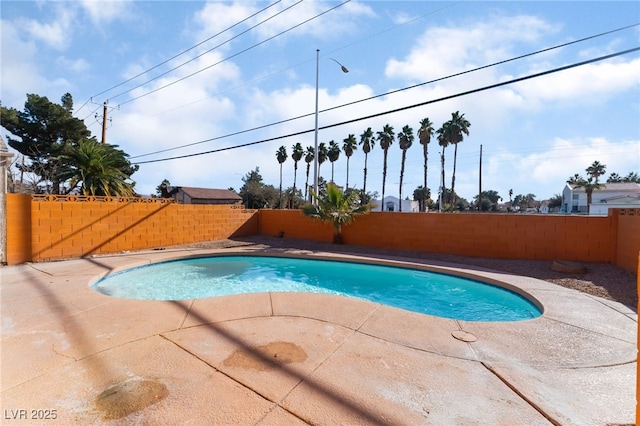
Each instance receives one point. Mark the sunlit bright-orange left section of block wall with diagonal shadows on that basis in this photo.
(53, 229)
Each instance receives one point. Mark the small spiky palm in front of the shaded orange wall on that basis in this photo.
(336, 207)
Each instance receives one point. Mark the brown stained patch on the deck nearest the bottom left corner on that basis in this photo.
(124, 398)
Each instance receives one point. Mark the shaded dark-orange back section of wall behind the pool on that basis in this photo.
(548, 237)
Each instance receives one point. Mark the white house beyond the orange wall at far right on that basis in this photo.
(610, 195)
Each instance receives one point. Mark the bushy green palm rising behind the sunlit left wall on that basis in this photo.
(99, 169)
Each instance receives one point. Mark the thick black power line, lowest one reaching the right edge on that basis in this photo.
(465, 93)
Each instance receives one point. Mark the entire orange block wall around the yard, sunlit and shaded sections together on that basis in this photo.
(44, 228)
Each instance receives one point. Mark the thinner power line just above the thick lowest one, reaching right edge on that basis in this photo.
(393, 91)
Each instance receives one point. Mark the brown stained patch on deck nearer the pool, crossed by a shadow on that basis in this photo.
(266, 357)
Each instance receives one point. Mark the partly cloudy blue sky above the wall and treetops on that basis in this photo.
(195, 80)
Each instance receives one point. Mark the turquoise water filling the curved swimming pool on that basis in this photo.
(415, 290)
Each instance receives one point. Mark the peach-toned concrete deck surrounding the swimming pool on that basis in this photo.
(299, 358)
